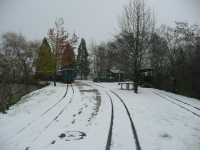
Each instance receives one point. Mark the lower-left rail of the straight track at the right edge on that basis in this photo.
(181, 106)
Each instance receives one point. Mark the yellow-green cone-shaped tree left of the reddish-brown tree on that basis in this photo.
(45, 65)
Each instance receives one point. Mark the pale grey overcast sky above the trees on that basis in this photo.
(92, 19)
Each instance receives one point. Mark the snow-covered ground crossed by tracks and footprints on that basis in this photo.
(97, 116)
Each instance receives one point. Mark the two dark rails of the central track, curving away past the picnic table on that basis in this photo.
(134, 132)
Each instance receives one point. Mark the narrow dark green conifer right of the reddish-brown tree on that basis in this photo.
(82, 60)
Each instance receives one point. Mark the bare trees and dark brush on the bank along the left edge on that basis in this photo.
(17, 58)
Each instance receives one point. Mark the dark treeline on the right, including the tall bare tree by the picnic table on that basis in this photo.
(170, 55)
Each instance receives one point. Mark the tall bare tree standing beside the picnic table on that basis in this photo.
(137, 24)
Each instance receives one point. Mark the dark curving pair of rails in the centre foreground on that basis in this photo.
(134, 131)
